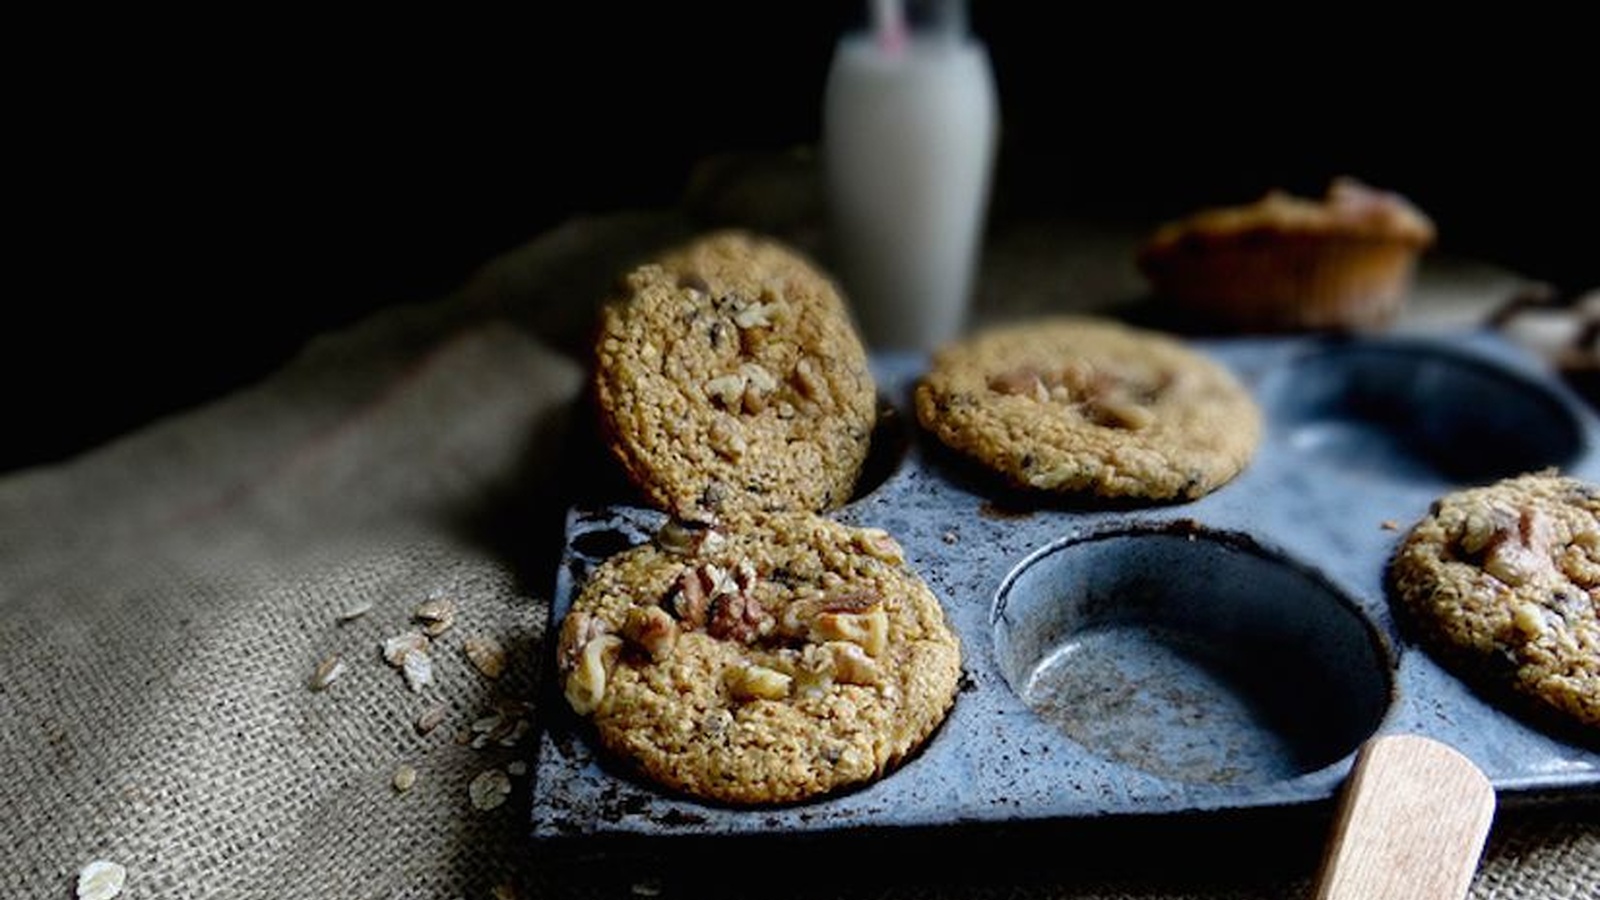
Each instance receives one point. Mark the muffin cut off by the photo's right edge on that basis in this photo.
(1503, 584)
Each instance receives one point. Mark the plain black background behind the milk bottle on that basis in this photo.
(199, 196)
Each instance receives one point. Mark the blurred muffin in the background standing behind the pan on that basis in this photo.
(1287, 263)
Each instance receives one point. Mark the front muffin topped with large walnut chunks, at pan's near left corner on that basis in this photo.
(772, 662)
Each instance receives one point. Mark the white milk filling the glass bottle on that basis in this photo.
(908, 148)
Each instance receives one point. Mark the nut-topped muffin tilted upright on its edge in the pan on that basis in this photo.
(729, 377)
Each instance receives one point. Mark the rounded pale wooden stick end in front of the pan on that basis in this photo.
(1412, 824)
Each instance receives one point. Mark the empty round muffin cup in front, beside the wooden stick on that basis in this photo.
(1191, 654)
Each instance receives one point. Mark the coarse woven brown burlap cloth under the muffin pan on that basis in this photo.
(166, 600)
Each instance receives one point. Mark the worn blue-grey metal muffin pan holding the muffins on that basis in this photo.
(1223, 654)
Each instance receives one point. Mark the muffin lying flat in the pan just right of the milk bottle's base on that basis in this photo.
(1081, 404)
